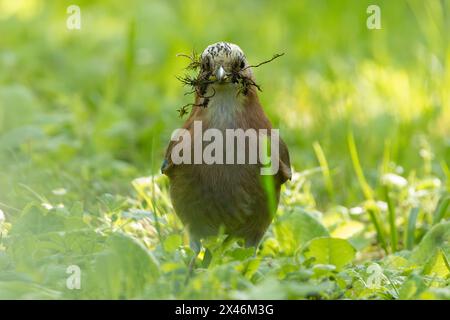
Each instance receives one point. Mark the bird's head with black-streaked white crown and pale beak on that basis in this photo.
(224, 63)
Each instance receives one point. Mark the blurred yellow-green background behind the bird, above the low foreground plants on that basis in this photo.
(84, 112)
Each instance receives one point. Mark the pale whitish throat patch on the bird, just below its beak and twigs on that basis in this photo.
(224, 106)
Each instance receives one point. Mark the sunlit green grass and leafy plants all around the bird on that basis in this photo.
(85, 117)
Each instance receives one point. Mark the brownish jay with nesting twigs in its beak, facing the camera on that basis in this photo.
(222, 197)
